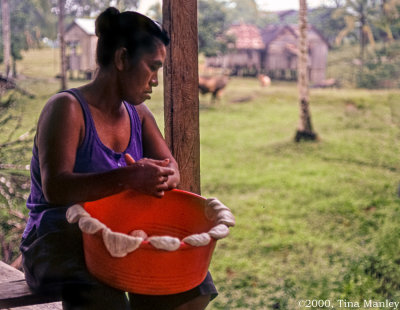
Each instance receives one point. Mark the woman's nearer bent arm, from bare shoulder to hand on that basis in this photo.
(60, 132)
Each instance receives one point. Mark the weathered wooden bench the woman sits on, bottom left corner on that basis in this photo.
(15, 293)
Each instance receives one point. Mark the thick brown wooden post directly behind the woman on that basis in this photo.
(181, 92)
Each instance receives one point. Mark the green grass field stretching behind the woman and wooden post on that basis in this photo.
(315, 221)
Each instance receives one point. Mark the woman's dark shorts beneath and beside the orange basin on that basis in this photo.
(54, 264)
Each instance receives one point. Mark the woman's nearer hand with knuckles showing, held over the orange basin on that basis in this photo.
(149, 176)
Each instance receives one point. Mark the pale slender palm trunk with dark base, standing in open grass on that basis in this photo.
(305, 128)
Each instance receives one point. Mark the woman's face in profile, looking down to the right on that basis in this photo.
(138, 80)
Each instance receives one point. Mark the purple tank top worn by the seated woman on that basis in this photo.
(92, 156)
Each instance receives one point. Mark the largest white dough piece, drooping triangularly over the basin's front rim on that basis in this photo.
(119, 244)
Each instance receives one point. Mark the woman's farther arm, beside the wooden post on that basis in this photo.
(154, 145)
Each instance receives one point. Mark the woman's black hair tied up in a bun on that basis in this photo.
(134, 31)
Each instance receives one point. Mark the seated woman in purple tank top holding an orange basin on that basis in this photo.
(95, 141)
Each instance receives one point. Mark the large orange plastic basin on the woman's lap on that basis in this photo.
(148, 270)
